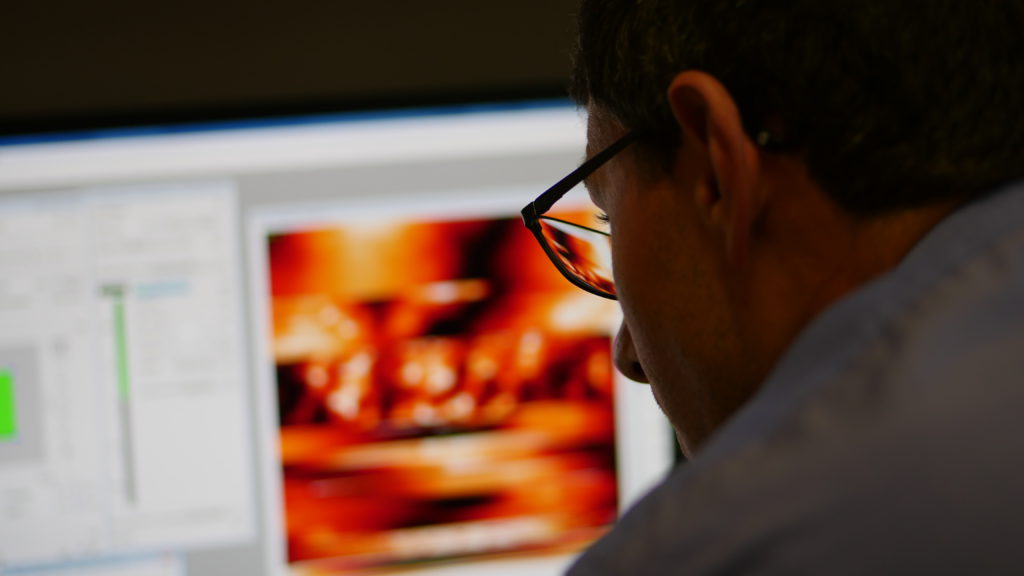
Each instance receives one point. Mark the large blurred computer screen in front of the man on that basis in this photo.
(312, 346)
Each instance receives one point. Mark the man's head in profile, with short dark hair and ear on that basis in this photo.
(788, 153)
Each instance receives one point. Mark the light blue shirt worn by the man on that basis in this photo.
(888, 440)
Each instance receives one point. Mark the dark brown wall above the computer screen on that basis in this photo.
(71, 64)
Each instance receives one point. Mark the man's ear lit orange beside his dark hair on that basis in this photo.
(709, 118)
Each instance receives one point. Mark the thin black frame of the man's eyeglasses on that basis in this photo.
(532, 213)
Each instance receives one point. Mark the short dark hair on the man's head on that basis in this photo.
(891, 103)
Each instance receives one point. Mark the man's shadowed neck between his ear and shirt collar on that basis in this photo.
(810, 255)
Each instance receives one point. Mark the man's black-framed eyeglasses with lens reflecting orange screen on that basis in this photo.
(581, 254)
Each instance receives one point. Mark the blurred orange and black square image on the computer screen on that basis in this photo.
(444, 394)
